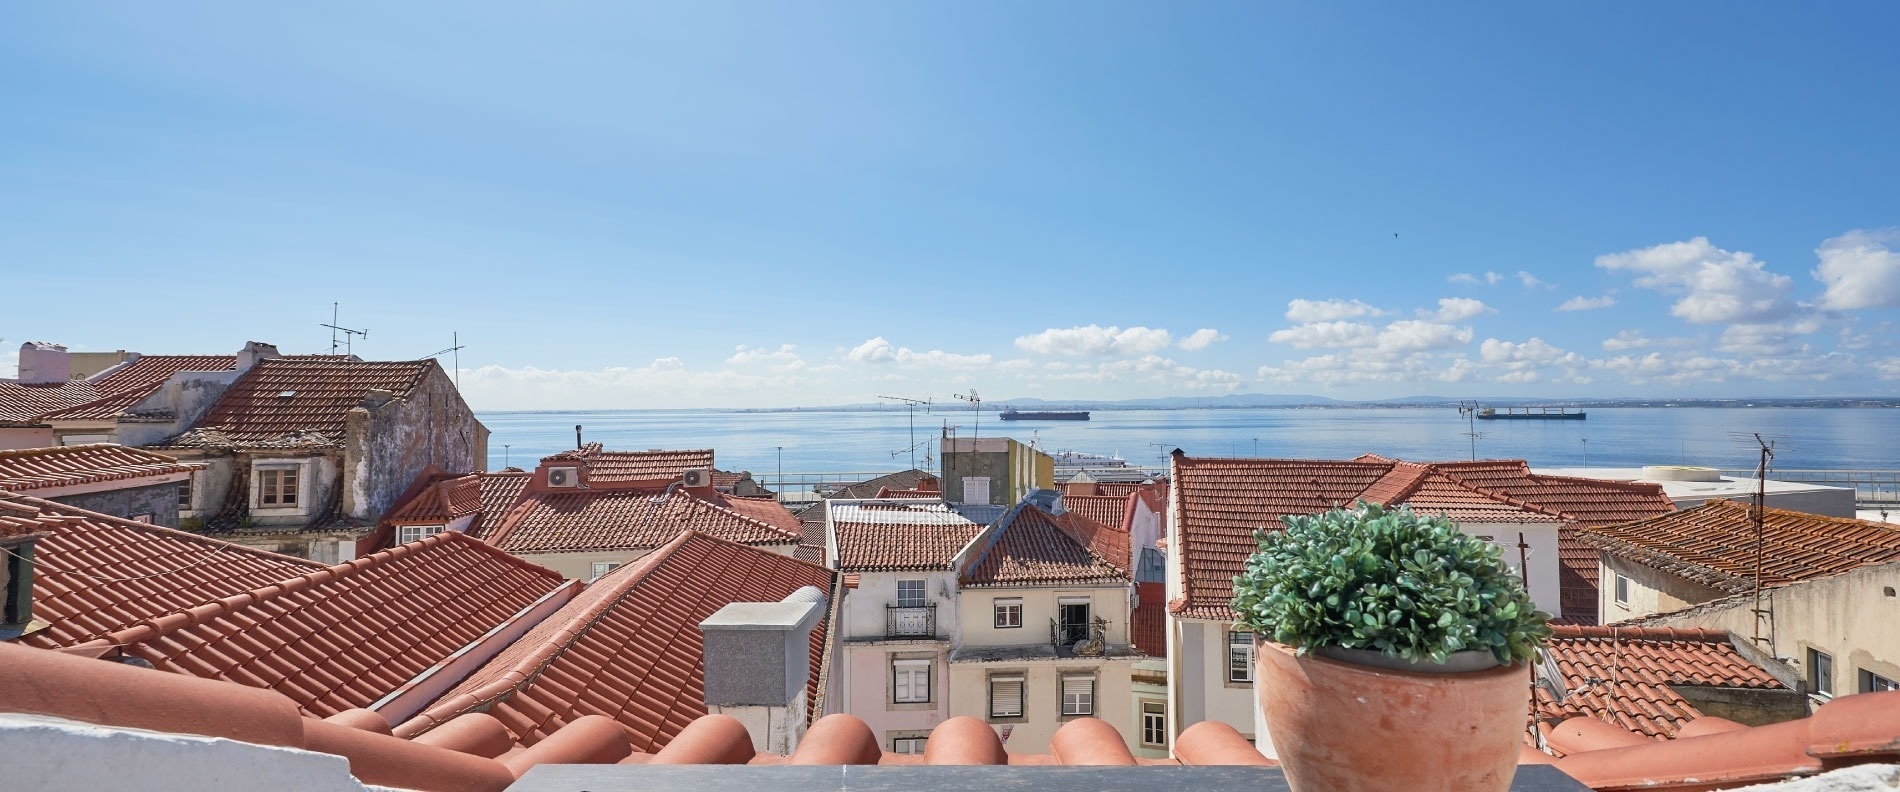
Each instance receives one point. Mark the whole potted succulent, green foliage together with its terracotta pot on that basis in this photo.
(1392, 652)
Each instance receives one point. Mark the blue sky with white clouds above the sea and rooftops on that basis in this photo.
(808, 204)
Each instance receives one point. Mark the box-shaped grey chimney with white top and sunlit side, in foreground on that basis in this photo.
(757, 664)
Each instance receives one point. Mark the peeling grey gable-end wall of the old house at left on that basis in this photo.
(389, 445)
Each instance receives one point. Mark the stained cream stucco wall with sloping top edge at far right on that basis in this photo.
(1853, 618)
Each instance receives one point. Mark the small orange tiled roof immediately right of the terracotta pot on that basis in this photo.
(1625, 675)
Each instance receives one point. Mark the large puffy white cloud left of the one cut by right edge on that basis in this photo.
(1717, 286)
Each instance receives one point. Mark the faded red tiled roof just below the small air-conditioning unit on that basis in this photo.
(573, 521)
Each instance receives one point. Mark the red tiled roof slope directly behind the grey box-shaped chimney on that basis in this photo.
(630, 647)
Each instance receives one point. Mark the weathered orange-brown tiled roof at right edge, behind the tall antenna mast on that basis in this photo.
(1715, 544)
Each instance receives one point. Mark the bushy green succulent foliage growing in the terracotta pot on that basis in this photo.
(1390, 580)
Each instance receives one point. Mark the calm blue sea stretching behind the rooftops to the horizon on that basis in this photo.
(827, 442)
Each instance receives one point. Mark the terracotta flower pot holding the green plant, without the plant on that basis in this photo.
(1354, 728)
